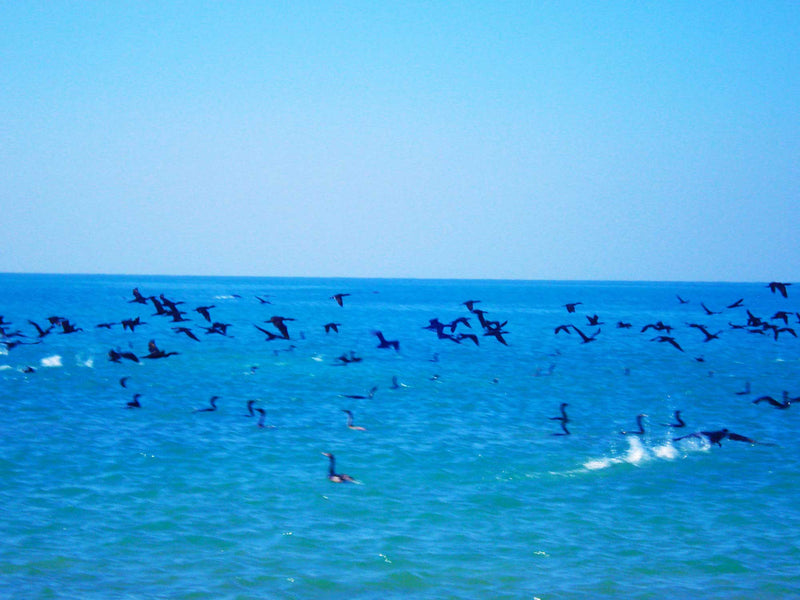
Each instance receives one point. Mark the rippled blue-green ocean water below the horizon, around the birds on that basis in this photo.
(463, 490)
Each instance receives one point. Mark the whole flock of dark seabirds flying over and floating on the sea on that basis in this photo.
(457, 331)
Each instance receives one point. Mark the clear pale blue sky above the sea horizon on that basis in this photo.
(480, 140)
